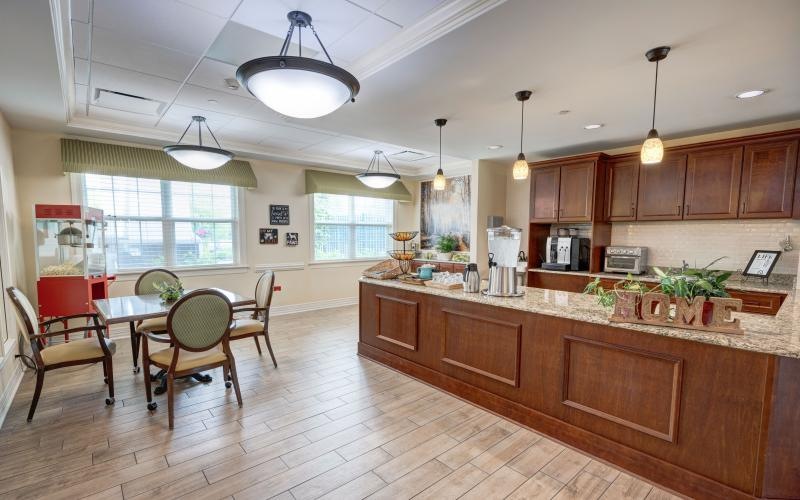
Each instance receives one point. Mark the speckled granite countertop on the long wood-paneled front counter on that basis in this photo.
(778, 335)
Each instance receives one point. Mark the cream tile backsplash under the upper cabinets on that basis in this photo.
(700, 242)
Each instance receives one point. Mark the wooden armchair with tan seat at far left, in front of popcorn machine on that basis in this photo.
(76, 352)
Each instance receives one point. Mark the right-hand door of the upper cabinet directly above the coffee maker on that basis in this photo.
(576, 198)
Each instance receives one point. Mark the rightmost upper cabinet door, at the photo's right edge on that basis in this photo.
(768, 180)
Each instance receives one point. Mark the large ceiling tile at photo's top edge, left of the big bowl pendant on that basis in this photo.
(161, 22)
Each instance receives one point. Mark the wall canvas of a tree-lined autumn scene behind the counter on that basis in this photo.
(445, 212)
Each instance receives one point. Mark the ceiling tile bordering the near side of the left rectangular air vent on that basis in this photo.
(131, 82)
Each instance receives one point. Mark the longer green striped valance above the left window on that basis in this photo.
(111, 159)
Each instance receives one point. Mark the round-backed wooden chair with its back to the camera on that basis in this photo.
(196, 324)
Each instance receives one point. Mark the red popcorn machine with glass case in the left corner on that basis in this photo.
(70, 259)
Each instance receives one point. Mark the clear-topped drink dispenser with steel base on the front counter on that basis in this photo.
(504, 244)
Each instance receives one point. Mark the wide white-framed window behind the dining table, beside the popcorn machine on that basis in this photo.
(166, 223)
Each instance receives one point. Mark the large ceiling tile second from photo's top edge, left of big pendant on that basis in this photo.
(110, 47)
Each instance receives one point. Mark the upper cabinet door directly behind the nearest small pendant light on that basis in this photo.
(661, 189)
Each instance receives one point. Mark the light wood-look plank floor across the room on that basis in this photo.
(324, 424)
